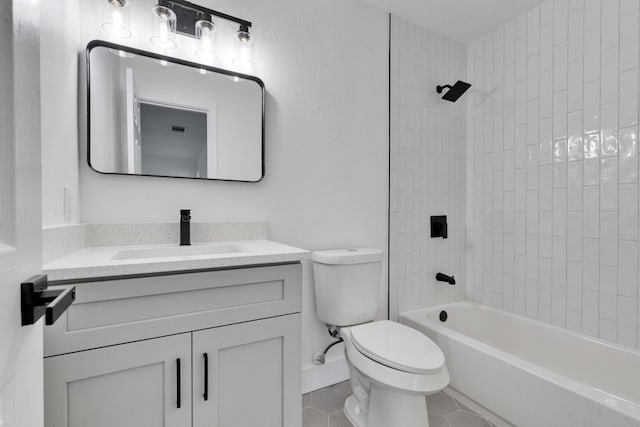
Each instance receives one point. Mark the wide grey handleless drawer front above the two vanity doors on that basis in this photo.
(125, 310)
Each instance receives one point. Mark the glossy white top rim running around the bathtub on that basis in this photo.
(594, 394)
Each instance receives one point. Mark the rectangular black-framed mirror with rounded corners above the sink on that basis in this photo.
(157, 116)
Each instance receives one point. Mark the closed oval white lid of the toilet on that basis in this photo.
(398, 346)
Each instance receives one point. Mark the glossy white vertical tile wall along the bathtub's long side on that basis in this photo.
(552, 167)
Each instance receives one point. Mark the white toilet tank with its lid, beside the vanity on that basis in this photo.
(347, 282)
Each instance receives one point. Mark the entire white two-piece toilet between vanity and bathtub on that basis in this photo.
(393, 367)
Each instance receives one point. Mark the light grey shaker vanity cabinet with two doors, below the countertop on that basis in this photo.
(113, 358)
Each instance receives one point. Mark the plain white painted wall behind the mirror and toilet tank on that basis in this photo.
(326, 183)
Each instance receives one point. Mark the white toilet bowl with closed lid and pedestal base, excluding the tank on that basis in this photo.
(393, 367)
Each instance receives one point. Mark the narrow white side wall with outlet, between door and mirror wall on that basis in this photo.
(59, 88)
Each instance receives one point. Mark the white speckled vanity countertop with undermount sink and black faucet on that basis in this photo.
(98, 262)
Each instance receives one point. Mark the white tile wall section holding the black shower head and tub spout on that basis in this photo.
(428, 168)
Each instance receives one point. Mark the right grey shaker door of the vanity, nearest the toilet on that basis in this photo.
(253, 374)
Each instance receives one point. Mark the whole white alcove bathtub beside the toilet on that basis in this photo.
(533, 374)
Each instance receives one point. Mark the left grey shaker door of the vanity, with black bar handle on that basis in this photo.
(127, 385)
